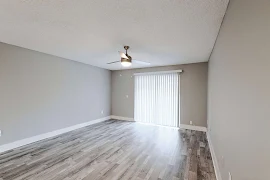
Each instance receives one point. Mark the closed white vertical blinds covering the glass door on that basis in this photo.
(157, 99)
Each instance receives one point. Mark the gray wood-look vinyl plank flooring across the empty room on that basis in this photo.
(113, 150)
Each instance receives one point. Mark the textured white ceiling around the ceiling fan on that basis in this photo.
(163, 32)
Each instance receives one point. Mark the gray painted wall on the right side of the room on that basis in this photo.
(239, 91)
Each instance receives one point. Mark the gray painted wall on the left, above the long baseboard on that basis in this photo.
(40, 93)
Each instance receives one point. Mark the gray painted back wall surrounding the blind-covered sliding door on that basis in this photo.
(193, 92)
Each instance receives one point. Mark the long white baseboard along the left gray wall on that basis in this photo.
(26, 141)
